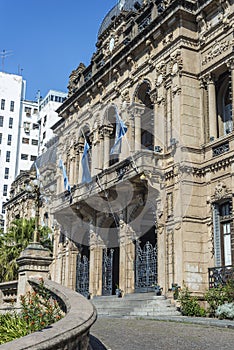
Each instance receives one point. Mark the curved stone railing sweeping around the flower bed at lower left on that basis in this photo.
(71, 332)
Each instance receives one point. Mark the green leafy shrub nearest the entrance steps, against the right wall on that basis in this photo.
(189, 305)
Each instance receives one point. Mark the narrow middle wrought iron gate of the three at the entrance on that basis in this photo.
(107, 272)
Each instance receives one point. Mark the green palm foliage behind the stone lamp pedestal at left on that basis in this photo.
(14, 241)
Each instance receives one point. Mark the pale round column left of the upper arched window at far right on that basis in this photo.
(212, 108)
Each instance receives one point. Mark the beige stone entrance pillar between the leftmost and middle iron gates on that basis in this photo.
(95, 264)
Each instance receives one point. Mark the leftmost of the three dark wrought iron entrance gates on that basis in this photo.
(82, 275)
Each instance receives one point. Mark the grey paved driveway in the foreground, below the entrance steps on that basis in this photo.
(163, 333)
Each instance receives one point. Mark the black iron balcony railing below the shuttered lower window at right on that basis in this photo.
(220, 275)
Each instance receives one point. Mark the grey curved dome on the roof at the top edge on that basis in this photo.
(125, 5)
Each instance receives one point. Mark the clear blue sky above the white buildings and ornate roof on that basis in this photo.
(46, 39)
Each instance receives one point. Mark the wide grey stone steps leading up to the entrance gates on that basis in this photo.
(143, 305)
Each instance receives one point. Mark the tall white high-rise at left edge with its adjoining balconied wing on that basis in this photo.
(19, 133)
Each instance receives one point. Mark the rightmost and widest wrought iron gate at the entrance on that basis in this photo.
(145, 267)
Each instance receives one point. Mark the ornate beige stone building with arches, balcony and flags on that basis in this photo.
(160, 211)
